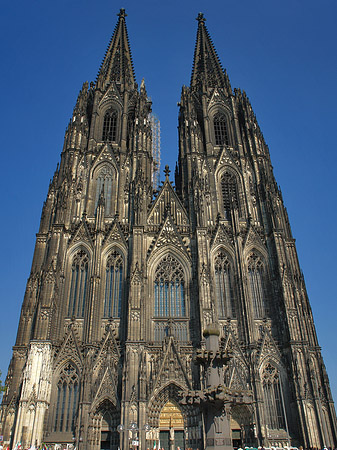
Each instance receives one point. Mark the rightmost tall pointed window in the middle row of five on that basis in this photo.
(256, 281)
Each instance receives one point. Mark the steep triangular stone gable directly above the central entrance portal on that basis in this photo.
(171, 368)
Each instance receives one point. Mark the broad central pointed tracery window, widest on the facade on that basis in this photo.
(169, 289)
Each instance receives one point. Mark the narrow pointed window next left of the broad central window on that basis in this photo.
(113, 285)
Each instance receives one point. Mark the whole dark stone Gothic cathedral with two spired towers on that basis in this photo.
(172, 315)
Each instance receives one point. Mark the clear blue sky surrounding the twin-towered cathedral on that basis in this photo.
(283, 54)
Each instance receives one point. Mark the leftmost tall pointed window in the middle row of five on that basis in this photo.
(78, 284)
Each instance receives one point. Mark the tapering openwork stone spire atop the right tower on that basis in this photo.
(206, 64)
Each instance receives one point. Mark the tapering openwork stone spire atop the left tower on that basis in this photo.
(117, 64)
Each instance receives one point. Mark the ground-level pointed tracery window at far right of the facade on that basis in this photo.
(272, 390)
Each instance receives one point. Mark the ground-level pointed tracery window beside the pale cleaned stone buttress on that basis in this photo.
(67, 399)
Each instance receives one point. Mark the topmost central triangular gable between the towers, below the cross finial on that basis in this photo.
(163, 202)
